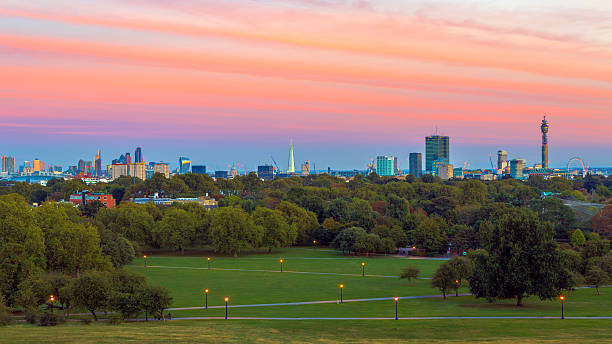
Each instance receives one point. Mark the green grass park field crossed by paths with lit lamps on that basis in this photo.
(187, 276)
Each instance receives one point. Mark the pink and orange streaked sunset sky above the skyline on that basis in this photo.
(233, 81)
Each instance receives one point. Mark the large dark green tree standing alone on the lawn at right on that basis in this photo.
(521, 258)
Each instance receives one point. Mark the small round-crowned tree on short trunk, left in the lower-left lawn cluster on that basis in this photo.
(92, 291)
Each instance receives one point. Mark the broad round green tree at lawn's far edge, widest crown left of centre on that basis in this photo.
(232, 230)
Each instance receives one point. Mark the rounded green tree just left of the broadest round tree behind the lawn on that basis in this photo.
(176, 229)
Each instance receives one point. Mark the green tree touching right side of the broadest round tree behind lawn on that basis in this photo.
(277, 232)
